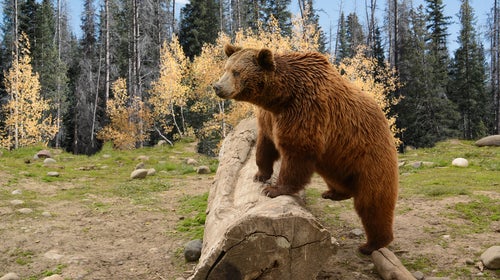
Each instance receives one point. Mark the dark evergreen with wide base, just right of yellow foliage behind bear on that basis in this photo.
(424, 116)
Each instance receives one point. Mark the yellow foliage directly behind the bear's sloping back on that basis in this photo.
(379, 82)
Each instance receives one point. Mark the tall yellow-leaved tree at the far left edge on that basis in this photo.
(26, 120)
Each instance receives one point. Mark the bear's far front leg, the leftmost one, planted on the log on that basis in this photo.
(266, 155)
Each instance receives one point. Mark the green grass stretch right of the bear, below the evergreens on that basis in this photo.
(442, 179)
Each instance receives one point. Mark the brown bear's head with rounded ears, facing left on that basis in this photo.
(246, 73)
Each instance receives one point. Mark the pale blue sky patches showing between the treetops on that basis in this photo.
(329, 14)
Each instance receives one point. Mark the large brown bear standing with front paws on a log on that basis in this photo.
(316, 121)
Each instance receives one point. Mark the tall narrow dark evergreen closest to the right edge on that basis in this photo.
(468, 78)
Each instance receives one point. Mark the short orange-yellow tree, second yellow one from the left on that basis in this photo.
(130, 119)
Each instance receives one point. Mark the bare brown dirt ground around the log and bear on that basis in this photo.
(126, 241)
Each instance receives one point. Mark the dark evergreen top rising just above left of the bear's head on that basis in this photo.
(199, 24)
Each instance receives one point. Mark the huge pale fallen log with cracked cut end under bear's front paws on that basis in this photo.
(251, 236)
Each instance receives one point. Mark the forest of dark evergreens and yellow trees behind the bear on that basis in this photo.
(139, 73)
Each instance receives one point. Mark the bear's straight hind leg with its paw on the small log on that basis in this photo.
(377, 214)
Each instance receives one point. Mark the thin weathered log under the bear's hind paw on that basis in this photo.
(389, 266)
